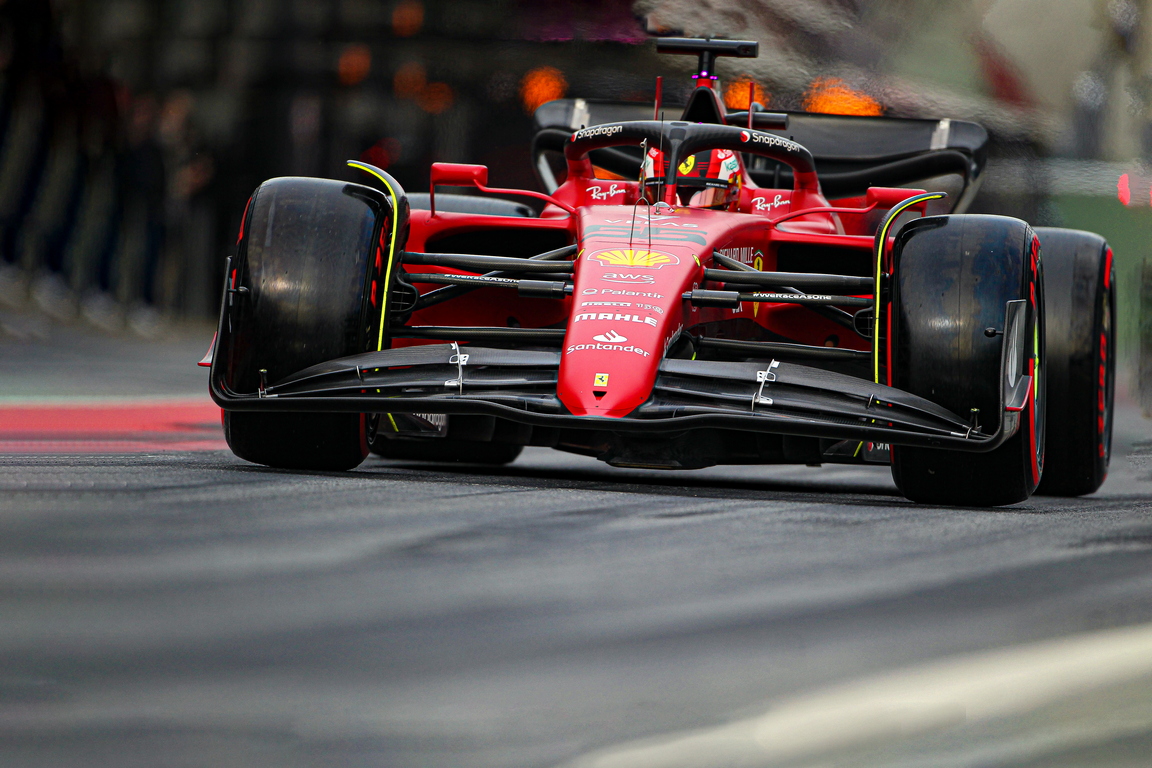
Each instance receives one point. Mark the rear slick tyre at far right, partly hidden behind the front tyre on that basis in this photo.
(1082, 360)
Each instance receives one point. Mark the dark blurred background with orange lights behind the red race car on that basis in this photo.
(132, 132)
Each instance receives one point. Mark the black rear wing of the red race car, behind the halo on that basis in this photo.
(852, 154)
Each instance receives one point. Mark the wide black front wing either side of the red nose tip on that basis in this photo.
(520, 386)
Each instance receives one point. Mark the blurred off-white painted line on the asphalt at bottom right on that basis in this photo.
(901, 704)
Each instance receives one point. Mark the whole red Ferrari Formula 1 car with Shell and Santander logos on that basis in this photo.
(749, 288)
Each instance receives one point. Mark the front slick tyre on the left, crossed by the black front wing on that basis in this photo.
(306, 258)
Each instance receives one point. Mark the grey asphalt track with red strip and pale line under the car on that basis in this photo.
(164, 604)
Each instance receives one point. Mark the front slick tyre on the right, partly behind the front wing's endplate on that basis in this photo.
(953, 277)
